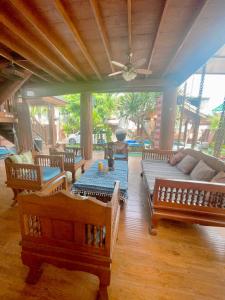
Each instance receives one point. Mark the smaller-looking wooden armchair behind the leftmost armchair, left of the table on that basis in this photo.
(73, 159)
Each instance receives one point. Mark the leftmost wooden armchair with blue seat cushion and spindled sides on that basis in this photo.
(37, 176)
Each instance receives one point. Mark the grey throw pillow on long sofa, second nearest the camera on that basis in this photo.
(202, 172)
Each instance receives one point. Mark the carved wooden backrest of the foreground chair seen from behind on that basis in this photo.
(68, 221)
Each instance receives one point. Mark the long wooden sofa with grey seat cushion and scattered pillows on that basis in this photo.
(173, 195)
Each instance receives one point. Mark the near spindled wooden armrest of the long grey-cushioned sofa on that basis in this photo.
(188, 194)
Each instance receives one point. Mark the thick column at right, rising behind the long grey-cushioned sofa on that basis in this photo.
(168, 116)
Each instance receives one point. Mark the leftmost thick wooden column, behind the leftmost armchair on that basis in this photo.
(23, 128)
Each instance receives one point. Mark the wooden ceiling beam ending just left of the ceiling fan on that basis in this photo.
(102, 31)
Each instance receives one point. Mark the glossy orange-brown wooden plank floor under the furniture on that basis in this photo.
(182, 262)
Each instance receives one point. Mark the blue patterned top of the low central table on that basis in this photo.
(96, 182)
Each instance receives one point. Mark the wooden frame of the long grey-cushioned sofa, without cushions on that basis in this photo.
(182, 200)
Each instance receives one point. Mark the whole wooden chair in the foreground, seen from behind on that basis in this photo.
(69, 231)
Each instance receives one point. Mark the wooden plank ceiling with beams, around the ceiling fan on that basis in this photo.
(68, 45)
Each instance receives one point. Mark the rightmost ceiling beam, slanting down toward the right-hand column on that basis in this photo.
(186, 35)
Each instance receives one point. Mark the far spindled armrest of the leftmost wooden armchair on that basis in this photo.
(49, 161)
